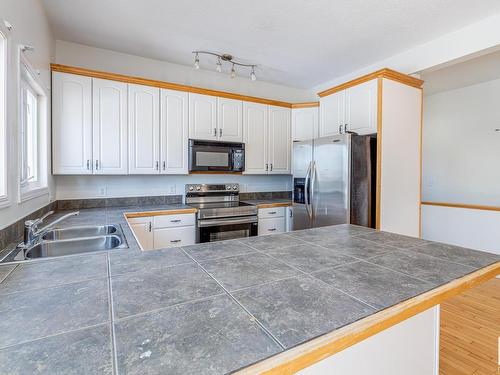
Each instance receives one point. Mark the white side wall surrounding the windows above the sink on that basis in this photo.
(30, 27)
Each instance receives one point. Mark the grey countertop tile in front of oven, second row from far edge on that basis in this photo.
(246, 270)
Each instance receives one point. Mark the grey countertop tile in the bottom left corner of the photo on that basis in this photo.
(86, 351)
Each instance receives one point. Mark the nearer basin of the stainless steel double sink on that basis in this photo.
(73, 246)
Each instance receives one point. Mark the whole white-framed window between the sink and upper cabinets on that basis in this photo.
(32, 134)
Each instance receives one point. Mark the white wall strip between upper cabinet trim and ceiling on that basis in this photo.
(115, 62)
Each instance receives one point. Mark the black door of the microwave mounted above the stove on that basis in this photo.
(210, 158)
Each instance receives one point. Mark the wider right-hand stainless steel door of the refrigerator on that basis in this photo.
(331, 181)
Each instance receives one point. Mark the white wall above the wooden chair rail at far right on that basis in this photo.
(461, 149)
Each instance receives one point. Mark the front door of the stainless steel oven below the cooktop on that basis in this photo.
(211, 230)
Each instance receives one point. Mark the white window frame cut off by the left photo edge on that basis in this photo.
(4, 167)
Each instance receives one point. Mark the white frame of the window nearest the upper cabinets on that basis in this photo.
(27, 77)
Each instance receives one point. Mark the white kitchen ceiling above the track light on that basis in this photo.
(295, 42)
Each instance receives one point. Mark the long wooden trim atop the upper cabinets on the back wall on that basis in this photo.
(164, 84)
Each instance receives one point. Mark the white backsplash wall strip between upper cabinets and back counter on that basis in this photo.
(72, 187)
